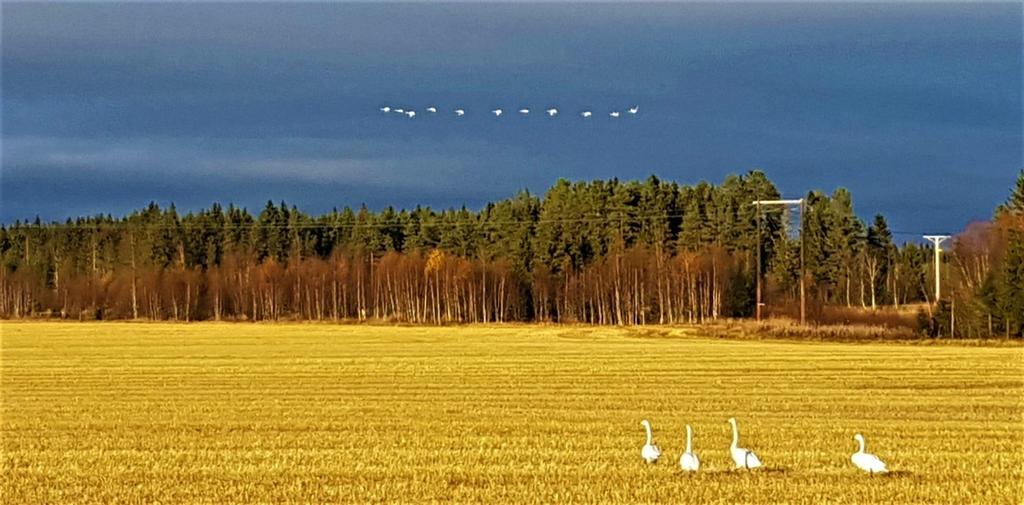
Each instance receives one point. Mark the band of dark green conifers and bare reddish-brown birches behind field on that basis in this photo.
(607, 252)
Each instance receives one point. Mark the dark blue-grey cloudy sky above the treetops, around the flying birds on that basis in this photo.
(916, 108)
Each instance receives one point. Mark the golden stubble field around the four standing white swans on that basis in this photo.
(229, 413)
